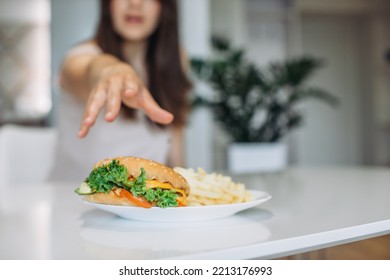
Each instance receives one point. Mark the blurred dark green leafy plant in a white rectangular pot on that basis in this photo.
(256, 107)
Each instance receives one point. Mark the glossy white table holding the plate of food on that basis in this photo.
(310, 209)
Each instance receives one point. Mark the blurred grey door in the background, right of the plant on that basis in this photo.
(333, 135)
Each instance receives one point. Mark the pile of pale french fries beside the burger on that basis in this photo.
(212, 188)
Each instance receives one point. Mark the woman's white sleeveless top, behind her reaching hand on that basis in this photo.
(122, 137)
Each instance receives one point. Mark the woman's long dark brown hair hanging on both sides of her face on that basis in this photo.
(167, 81)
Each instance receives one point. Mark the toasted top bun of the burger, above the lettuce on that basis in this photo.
(154, 171)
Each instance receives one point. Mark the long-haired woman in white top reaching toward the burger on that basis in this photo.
(133, 71)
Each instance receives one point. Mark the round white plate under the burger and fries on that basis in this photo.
(183, 214)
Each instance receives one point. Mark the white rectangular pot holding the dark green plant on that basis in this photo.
(257, 157)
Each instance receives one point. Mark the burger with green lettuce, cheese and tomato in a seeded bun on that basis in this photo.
(134, 181)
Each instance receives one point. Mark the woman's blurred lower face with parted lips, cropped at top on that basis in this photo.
(135, 20)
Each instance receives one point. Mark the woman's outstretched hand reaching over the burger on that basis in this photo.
(119, 84)
